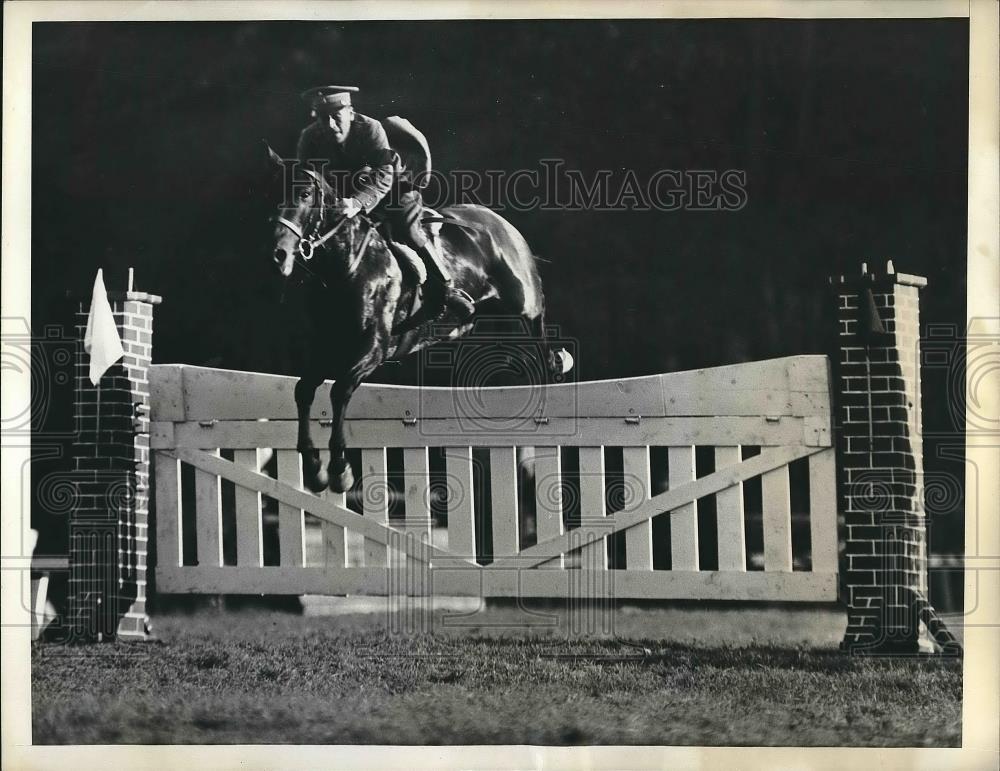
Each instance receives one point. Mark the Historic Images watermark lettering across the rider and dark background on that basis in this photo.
(552, 186)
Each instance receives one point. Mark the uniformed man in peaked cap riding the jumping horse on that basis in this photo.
(342, 142)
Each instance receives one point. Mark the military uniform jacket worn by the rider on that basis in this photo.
(364, 163)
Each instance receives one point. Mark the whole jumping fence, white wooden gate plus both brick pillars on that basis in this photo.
(827, 450)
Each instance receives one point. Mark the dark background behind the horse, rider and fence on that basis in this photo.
(146, 150)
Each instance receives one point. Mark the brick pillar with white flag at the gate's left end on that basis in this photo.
(109, 528)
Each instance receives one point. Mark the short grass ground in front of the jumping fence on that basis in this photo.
(256, 677)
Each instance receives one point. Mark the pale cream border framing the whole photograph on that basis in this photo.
(981, 692)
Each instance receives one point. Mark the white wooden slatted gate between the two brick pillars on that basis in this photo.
(224, 423)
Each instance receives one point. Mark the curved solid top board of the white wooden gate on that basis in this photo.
(789, 384)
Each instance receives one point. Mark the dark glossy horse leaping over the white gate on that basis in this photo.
(358, 301)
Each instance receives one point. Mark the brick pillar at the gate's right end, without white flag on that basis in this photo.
(880, 460)
